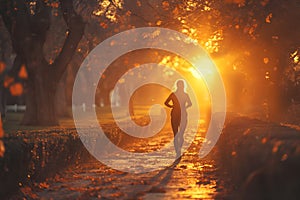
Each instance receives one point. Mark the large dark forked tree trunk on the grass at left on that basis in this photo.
(28, 34)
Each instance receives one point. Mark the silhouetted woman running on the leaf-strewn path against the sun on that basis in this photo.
(180, 102)
